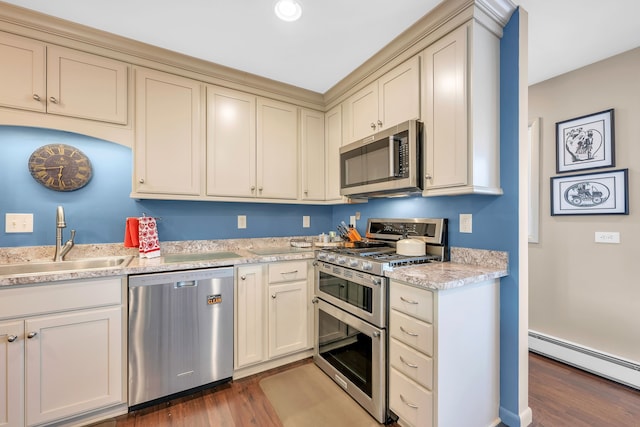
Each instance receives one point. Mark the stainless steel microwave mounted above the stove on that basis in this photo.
(384, 164)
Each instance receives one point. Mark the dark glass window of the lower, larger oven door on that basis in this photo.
(347, 349)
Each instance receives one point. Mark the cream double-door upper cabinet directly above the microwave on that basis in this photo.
(392, 99)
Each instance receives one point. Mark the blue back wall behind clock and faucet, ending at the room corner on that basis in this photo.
(97, 211)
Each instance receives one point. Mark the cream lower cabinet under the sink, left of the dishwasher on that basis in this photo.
(67, 364)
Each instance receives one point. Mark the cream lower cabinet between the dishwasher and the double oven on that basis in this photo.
(273, 316)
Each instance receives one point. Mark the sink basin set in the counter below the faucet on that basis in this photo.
(71, 265)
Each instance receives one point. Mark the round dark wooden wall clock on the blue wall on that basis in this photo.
(60, 167)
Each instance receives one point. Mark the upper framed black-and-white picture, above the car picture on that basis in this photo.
(585, 142)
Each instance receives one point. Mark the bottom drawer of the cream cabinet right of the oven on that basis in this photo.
(412, 403)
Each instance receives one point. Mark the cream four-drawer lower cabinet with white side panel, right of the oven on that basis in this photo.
(444, 350)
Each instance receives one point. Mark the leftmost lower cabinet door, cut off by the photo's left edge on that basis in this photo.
(11, 374)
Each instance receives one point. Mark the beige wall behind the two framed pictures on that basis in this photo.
(580, 291)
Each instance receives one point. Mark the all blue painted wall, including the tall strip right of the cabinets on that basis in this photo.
(98, 211)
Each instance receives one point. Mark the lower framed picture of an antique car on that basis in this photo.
(601, 193)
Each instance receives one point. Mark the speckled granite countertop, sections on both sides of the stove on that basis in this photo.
(467, 266)
